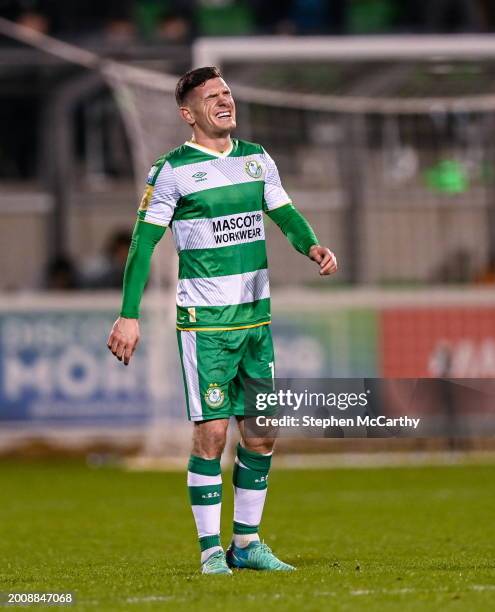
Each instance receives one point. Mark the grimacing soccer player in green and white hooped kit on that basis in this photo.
(212, 191)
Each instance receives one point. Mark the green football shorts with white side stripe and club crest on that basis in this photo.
(215, 365)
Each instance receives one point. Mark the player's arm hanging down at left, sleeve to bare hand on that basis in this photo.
(154, 214)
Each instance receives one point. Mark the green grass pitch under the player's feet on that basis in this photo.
(378, 539)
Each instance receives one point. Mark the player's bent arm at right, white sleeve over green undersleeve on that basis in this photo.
(293, 224)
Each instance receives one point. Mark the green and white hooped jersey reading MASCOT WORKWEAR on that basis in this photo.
(214, 203)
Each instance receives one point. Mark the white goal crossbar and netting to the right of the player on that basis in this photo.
(397, 132)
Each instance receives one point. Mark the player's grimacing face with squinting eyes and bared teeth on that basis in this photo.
(211, 107)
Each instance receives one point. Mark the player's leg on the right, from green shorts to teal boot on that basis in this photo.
(252, 466)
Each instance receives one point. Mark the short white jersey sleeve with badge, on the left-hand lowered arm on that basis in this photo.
(160, 196)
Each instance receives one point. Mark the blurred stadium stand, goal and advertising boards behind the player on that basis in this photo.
(381, 117)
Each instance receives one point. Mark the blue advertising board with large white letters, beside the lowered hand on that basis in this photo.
(55, 366)
